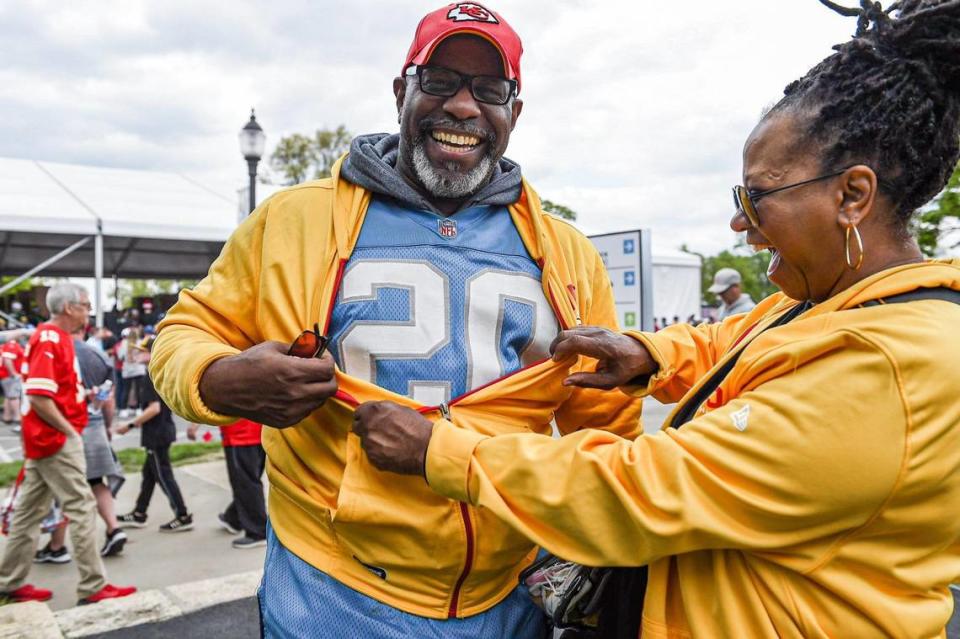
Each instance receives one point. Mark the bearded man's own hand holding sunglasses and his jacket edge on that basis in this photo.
(266, 385)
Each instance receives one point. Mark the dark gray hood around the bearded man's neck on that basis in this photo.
(372, 165)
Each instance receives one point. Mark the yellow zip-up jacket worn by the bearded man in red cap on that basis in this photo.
(391, 538)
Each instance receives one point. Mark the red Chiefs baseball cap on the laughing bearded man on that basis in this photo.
(472, 18)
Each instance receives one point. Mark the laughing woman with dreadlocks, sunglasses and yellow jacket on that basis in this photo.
(808, 483)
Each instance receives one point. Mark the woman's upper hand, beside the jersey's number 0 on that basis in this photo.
(620, 358)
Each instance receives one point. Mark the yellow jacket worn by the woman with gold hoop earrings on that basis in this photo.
(815, 495)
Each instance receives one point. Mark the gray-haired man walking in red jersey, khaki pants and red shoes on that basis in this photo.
(54, 464)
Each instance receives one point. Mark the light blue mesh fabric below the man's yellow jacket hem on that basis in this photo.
(297, 601)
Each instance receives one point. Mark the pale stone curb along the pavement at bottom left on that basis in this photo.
(34, 620)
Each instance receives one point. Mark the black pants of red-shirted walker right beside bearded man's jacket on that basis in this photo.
(247, 511)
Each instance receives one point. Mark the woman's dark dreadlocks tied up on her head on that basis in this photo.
(889, 98)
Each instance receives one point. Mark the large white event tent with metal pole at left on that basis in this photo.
(84, 221)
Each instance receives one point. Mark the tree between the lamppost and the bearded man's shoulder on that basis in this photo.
(299, 157)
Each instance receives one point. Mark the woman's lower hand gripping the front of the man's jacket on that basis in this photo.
(394, 437)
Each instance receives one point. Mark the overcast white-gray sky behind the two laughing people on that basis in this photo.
(635, 112)
